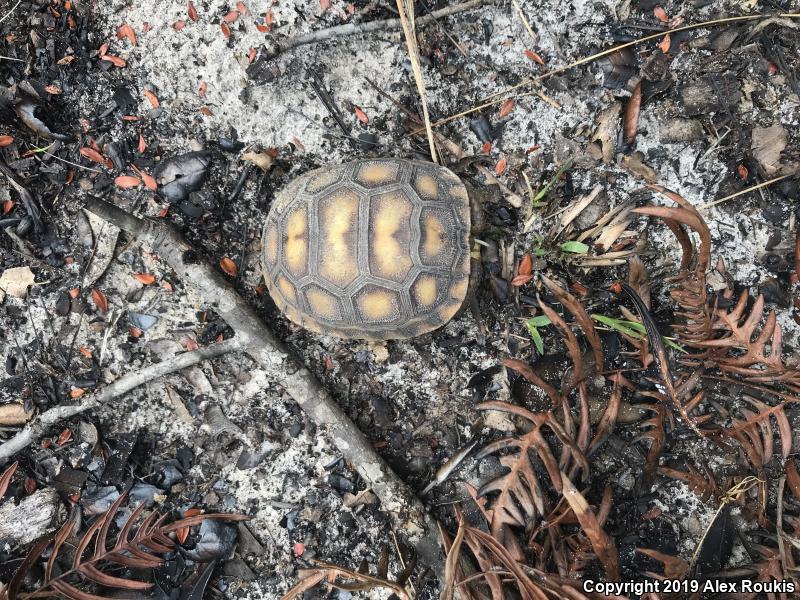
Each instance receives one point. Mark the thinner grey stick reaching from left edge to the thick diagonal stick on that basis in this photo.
(34, 430)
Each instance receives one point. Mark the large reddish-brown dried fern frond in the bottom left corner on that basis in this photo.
(137, 545)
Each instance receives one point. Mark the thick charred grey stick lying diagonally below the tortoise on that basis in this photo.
(407, 513)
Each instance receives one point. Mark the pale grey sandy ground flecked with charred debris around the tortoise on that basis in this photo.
(407, 393)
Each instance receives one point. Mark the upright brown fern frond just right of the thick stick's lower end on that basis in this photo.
(521, 496)
